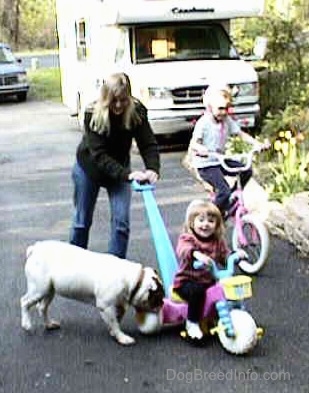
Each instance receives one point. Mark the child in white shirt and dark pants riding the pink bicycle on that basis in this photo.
(210, 135)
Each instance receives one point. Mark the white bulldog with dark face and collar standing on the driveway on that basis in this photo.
(104, 280)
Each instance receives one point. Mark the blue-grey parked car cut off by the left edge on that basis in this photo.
(13, 76)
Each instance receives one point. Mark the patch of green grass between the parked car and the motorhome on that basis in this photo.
(45, 84)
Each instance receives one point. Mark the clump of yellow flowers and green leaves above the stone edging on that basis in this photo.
(285, 167)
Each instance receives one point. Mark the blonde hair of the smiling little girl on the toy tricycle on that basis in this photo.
(200, 206)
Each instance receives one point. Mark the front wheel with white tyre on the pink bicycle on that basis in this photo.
(256, 243)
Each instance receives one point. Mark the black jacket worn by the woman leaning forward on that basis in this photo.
(106, 157)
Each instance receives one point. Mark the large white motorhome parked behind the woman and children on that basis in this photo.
(172, 50)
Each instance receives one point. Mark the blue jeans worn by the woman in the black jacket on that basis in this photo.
(85, 196)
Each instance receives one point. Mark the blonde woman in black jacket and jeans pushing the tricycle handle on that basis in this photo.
(103, 160)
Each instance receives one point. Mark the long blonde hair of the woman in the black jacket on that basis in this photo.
(115, 85)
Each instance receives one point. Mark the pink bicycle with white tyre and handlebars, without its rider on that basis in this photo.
(249, 232)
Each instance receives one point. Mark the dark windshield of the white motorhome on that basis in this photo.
(182, 42)
